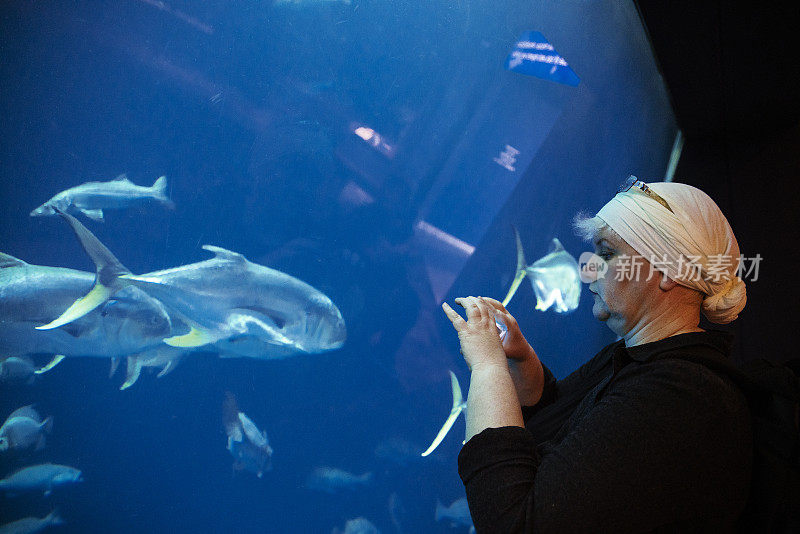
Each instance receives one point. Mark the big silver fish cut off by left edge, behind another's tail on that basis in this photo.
(128, 321)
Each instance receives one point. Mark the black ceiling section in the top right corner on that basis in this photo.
(732, 68)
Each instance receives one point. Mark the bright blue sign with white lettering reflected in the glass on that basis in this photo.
(534, 56)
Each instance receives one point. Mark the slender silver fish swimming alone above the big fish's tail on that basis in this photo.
(91, 198)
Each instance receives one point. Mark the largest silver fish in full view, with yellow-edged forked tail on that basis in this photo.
(224, 297)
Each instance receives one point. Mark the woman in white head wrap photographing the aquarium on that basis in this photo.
(638, 439)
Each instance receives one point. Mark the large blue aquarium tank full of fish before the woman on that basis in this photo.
(237, 222)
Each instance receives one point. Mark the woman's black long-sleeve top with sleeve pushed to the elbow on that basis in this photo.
(635, 440)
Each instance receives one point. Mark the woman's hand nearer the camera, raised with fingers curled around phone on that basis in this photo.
(478, 335)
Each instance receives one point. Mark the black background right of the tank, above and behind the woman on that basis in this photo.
(733, 72)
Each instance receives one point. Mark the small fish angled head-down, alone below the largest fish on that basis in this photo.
(247, 444)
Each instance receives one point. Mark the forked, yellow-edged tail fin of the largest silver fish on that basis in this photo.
(107, 282)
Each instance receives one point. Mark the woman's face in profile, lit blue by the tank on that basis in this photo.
(621, 296)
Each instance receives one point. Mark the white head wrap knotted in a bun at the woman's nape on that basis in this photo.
(694, 246)
